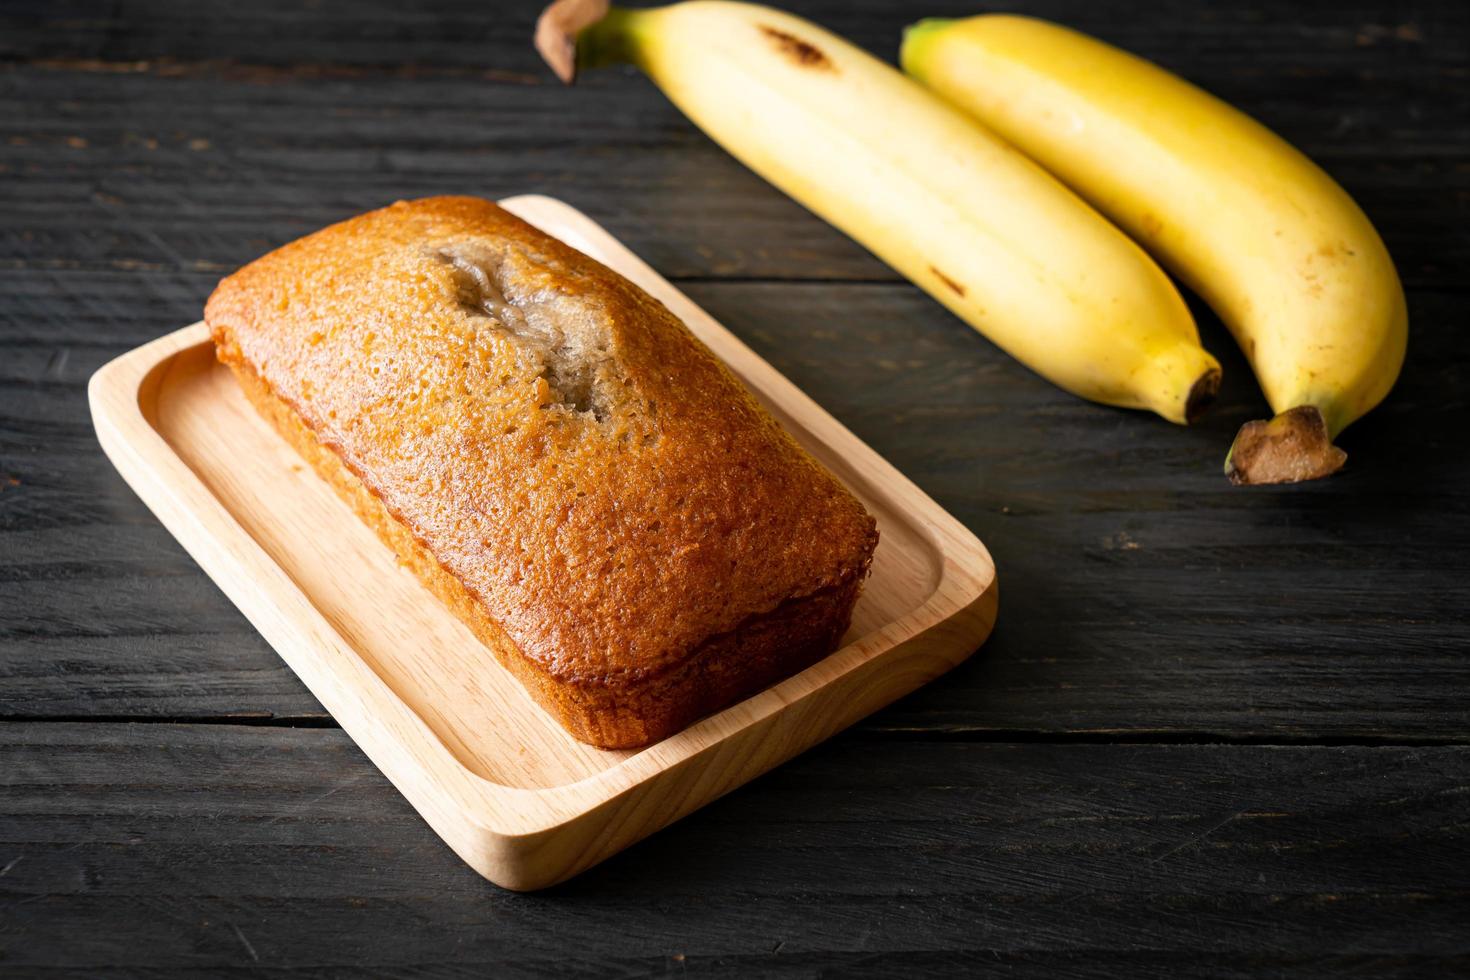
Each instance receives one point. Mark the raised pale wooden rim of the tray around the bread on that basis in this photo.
(458, 803)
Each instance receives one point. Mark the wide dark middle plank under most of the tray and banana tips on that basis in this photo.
(1143, 593)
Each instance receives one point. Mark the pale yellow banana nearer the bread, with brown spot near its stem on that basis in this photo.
(959, 212)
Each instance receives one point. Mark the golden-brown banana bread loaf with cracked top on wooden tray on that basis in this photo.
(555, 456)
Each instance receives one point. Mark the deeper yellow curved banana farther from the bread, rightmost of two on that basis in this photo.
(1272, 243)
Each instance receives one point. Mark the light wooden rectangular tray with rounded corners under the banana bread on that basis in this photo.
(520, 800)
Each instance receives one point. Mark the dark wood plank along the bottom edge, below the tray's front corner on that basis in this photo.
(208, 847)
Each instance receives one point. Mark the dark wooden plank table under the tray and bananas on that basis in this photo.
(1216, 732)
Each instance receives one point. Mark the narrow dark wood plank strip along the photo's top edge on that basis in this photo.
(452, 36)
